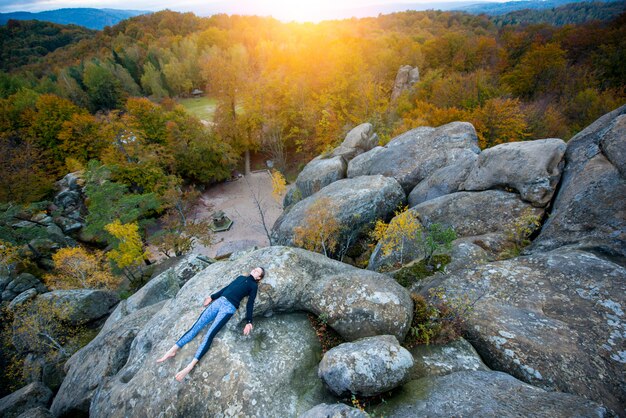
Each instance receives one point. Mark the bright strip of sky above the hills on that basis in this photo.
(300, 10)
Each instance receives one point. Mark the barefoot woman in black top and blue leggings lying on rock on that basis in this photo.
(220, 308)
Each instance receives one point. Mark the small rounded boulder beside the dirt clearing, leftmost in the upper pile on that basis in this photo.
(319, 173)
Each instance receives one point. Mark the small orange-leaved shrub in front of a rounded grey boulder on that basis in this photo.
(321, 229)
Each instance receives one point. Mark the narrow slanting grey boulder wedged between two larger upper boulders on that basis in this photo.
(443, 181)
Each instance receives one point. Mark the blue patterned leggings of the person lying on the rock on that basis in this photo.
(218, 312)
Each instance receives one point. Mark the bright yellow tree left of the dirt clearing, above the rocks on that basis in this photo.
(129, 250)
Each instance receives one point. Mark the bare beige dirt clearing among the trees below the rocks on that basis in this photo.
(235, 199)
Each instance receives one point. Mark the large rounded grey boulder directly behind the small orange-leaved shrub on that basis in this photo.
(355, 203)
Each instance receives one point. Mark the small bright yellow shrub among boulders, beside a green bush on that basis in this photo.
(403, 227)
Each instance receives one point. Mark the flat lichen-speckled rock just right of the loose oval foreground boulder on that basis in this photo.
(439, 360)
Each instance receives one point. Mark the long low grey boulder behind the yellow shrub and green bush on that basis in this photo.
(470, 214)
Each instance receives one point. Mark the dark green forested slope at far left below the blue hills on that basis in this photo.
(25, 42)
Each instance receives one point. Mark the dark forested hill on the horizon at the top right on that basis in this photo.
(574, 13)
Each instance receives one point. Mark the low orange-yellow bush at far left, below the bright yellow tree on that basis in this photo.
(74, 268)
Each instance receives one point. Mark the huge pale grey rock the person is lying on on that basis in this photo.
(232, 378)
